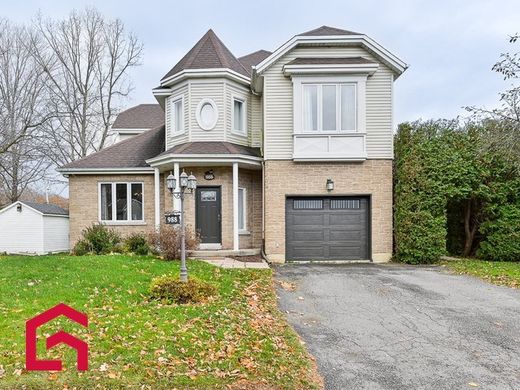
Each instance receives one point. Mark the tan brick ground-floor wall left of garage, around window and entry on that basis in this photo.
(83, 203)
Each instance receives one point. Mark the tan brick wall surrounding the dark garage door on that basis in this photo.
(372, 177)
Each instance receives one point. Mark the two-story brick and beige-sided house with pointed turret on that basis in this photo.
(292, 150)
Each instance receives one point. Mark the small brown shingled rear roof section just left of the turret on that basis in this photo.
(142, 116)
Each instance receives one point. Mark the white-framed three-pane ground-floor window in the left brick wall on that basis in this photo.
(121, 202)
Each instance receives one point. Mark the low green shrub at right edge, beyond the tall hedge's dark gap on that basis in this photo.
(502, 236)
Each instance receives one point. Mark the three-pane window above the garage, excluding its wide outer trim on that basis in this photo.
(329, 107)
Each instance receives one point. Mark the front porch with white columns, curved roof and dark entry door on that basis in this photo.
(225, 209)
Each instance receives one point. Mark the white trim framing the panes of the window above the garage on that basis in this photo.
(360, 96)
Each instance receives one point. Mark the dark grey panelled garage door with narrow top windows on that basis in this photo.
(327, 228)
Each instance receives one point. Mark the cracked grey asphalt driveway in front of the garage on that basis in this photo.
(400, 327)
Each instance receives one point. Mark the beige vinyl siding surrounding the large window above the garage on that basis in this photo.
(278, 104)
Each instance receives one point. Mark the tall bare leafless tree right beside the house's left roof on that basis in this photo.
(87, 59)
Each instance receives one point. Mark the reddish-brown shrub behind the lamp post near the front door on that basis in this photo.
(168, 241)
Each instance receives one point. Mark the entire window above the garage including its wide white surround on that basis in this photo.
(329, 104)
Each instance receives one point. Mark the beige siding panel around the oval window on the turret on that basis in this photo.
(207, 89)
